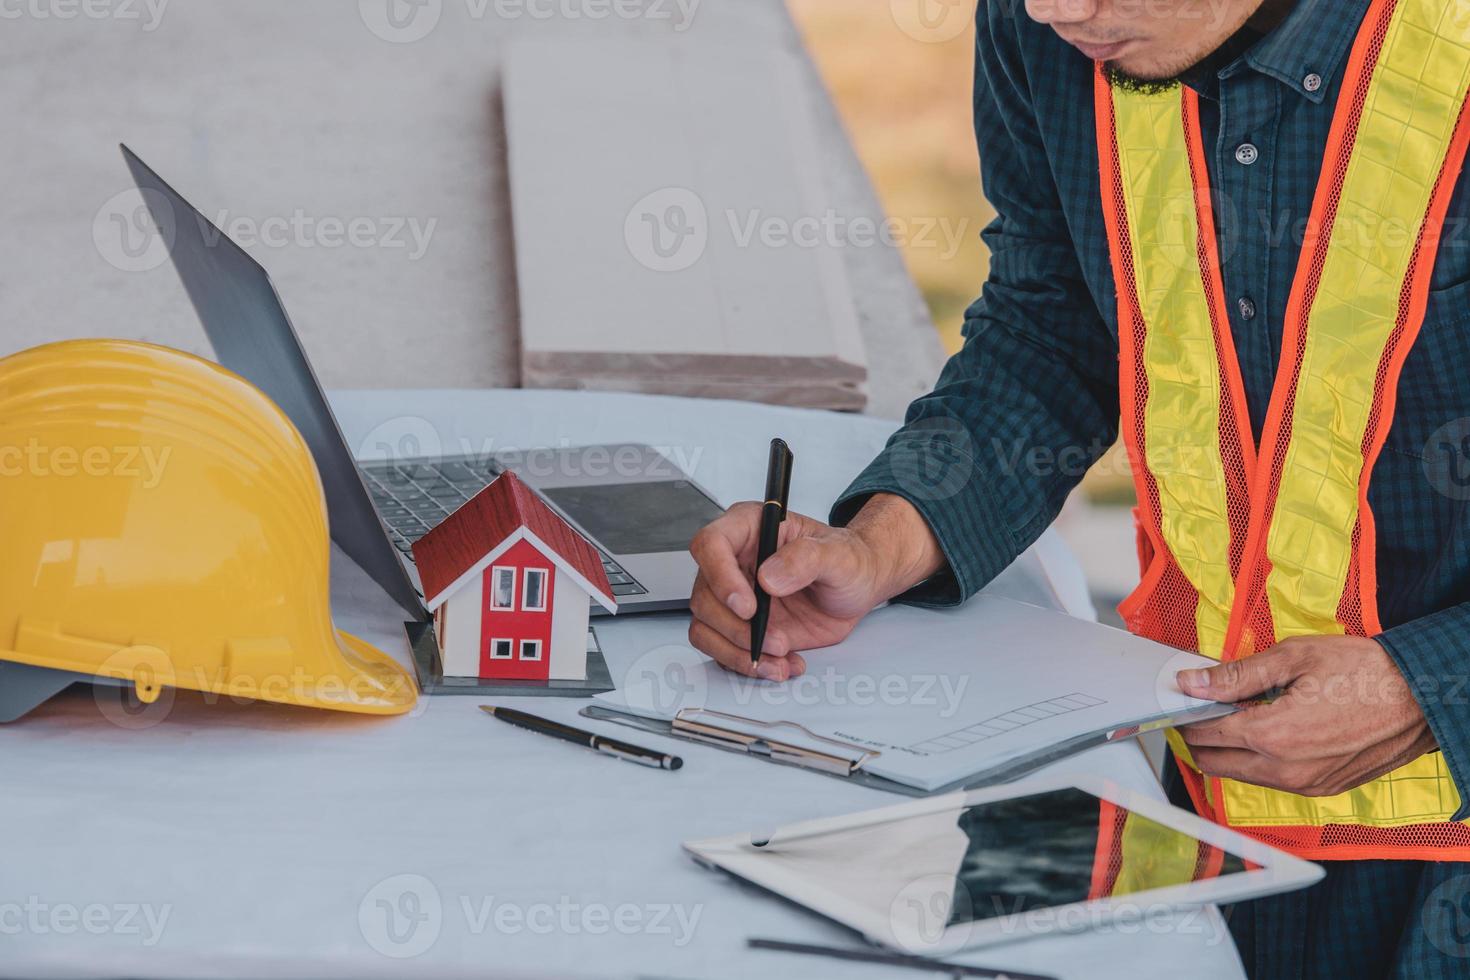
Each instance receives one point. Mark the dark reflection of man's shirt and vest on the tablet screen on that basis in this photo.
(1066, 847)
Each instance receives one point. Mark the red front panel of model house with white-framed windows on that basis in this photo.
(515, 624)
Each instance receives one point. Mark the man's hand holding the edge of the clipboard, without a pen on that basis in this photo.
(1346, 718)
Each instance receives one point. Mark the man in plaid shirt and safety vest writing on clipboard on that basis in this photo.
(1238, 227)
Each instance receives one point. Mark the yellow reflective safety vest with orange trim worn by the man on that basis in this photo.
(1241, 544)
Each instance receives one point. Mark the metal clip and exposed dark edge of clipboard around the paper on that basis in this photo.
(847, 760)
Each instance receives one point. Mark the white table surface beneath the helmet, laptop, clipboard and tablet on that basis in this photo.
(224, 840)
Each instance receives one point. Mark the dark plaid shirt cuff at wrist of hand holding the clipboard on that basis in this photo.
(1433, 656)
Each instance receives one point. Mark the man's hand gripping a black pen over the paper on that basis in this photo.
(822, 581)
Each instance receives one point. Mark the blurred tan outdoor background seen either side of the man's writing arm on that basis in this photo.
(905, 98)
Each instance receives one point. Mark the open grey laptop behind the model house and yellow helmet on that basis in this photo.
(639, 515)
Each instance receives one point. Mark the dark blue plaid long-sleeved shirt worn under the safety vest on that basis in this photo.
(1031, 400)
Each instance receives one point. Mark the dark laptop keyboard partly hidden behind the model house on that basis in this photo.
(415, 497)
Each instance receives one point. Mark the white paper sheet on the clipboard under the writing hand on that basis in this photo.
(937, 694)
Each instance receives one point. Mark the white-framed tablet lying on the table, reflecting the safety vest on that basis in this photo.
(1009, 863)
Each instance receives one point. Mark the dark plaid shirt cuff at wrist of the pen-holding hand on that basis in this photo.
(947, 493)
